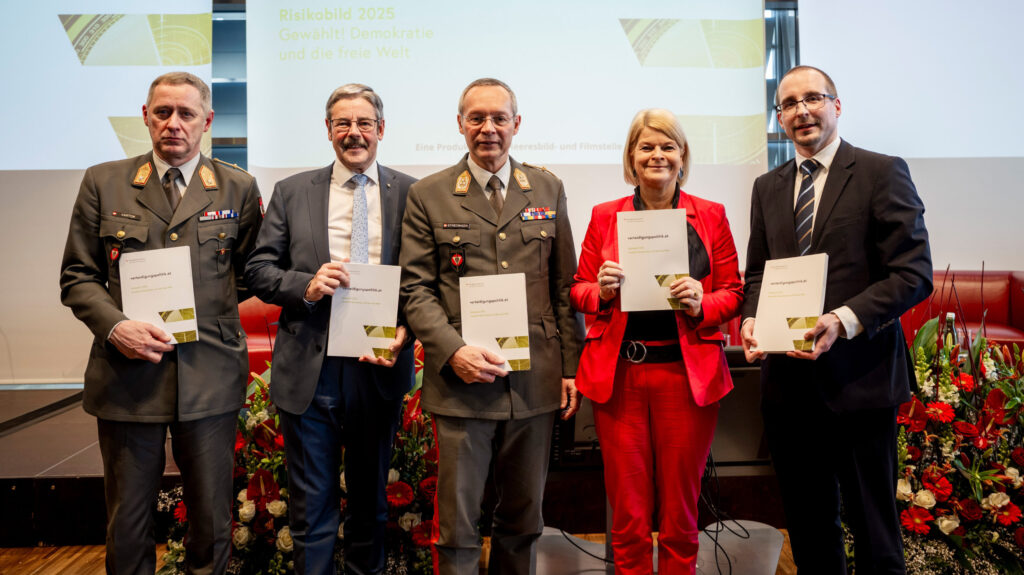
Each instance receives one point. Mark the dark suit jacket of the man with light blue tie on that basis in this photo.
(291, 248)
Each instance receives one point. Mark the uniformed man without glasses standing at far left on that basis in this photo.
(137, 384)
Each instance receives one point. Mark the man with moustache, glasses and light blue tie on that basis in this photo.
(318, 222)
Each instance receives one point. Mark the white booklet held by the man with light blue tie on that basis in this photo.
(365, 316)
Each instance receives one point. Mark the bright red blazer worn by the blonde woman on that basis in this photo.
(703, 345)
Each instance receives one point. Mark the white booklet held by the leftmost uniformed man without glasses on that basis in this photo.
(157, 288)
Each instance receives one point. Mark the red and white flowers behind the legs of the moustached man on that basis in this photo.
(262, 540)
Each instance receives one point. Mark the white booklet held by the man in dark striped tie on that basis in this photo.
(793, 295)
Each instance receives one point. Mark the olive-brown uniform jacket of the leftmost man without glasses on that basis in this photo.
(115, 210)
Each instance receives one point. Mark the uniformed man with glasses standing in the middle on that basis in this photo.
(491, 215)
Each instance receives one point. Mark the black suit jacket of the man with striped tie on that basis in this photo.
(871, 223)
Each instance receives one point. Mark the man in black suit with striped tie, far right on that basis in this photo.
(831, 414)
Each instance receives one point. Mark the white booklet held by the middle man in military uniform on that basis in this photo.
(494, 317)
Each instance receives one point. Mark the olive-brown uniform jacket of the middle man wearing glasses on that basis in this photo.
(541, 249)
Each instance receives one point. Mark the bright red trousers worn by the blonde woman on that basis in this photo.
(655, 443)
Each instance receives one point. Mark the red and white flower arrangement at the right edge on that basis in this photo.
(961, 457)
